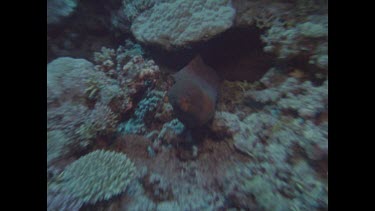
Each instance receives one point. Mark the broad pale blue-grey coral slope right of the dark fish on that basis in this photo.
(285, 145)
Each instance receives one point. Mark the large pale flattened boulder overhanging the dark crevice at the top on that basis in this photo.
(182, 22)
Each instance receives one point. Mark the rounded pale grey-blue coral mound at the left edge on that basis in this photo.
(79, 98)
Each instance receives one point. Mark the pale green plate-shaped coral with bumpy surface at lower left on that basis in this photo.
(96, 176)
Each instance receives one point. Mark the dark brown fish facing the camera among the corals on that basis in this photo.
(194, 94)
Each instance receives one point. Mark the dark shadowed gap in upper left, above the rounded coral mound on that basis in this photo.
(84, 32)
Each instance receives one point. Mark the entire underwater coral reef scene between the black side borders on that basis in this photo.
(169, 105)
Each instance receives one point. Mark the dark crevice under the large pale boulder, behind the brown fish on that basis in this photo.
(236, 54)
